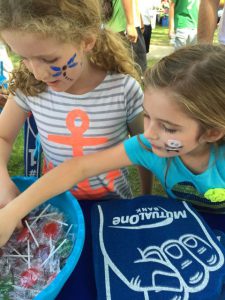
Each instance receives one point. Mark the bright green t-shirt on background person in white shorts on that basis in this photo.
(186, 14)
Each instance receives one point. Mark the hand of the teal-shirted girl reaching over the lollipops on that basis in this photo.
(8, 223)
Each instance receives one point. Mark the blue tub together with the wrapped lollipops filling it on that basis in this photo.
(38, 259)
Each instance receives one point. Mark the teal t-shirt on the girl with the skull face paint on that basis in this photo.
(178, 181)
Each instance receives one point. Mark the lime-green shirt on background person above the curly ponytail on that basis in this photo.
(118, 21)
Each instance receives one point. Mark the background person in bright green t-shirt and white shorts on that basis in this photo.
(183, 22)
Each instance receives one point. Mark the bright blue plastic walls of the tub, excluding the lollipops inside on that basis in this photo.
(71, 208)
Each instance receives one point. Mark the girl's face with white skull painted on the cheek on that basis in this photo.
(170, 131)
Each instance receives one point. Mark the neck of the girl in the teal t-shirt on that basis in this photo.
(198, 161)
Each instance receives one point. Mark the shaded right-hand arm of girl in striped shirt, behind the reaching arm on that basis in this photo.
(137, 127)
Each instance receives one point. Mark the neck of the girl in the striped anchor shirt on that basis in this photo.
(90, 78)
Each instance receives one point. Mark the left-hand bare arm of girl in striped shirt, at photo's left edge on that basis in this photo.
(12, 119)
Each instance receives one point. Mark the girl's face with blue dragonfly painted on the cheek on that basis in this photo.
(59, 65)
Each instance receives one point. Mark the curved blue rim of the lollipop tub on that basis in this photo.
(56, 285)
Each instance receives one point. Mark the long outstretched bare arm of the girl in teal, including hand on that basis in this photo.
(57, 181)
